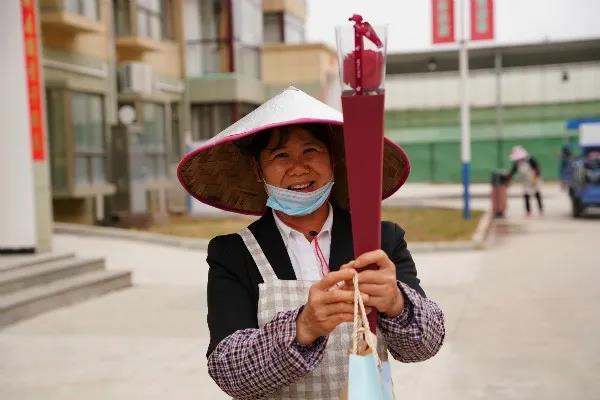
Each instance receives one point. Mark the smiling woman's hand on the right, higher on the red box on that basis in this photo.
(378, 284)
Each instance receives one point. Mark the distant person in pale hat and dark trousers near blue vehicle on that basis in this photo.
(530, 173)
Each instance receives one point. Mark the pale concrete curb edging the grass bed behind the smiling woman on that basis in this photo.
(476, 242)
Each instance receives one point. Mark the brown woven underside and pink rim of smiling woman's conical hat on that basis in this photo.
(218, 174)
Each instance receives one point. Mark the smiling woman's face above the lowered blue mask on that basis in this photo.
(301, 163)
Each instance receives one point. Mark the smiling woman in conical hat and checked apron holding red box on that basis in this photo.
(278, 309)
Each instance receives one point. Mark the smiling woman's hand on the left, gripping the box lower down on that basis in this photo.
(327, 307)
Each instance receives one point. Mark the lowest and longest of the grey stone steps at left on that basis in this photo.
(29, 302)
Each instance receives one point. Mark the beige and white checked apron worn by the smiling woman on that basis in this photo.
(275, 295)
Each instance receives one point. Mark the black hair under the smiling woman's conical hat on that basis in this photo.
(257, 143)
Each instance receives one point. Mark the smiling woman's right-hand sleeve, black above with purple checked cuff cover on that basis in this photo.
(418, 332)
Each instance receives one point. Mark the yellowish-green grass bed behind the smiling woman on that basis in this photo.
(420, 224)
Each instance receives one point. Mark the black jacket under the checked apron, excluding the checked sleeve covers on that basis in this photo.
(233, 277)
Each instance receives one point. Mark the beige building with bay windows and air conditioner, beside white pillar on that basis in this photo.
(111, 67)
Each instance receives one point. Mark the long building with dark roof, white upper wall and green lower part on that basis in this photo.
(518, 94)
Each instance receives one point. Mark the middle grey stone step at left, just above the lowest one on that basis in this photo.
(42, 273)
